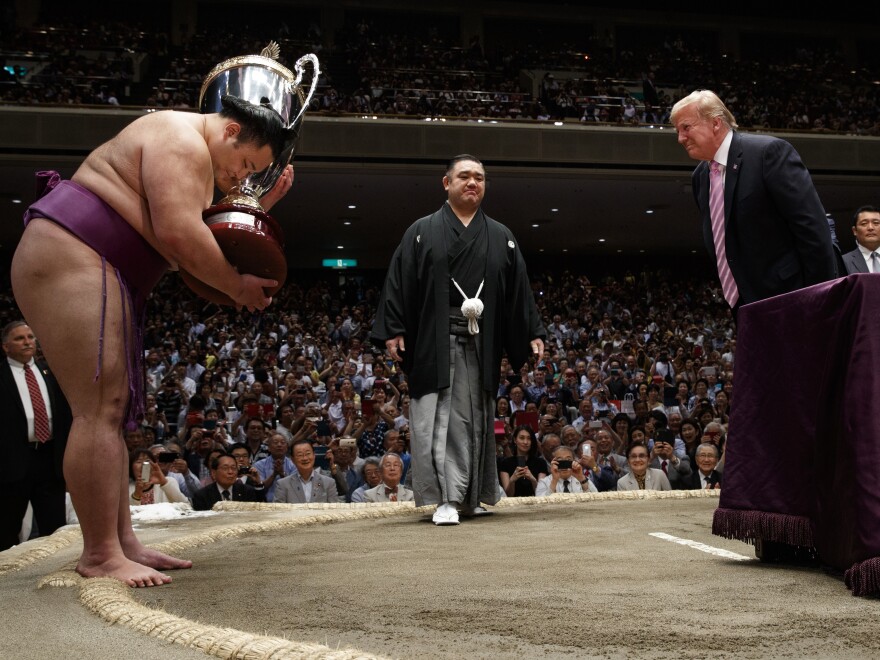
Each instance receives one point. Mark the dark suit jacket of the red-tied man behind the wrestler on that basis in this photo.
(18, 452)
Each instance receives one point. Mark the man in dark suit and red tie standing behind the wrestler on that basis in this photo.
(32, 464)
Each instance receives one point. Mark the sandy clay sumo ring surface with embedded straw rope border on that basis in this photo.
(585, 578)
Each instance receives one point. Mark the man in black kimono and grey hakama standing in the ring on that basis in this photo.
(456, 299)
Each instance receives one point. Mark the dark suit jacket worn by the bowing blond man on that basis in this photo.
(776, 233)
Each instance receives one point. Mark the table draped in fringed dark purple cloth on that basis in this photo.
(802, 460)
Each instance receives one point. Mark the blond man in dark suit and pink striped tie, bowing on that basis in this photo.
(766, 227)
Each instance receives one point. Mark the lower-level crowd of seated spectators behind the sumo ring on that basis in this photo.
(298, 395)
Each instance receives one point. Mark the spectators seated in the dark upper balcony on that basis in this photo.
(425, 74)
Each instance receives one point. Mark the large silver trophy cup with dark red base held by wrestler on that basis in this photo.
(249, 237)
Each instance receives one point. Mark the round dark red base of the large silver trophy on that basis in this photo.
(251, 240)
